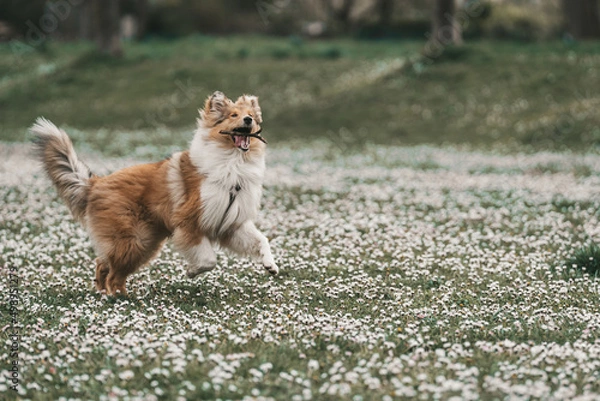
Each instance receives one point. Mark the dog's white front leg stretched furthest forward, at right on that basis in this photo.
(248, 241)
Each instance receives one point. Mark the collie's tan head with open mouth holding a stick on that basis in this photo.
(221, 115)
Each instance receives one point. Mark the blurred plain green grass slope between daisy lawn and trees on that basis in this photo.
(525, 96)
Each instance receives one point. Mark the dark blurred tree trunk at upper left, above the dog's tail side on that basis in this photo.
(106, 25)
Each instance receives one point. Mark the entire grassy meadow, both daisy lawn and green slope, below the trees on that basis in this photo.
(426, 251)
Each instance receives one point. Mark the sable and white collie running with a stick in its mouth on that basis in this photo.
(205, 197)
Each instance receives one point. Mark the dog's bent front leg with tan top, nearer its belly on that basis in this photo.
(198, 252)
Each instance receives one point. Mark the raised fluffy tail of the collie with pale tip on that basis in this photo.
(70, 176)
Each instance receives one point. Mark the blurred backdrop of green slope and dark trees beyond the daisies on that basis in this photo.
(514, 74)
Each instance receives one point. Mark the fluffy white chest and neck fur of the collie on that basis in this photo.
(232, 187)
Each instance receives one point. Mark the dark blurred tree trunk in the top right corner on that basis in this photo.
(582, 18)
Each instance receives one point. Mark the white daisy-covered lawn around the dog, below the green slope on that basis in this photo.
(405, 271)
